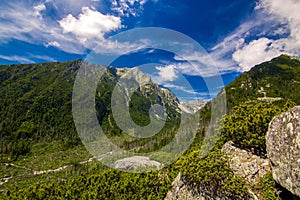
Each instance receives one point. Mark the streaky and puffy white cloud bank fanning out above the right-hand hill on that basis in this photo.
(271, 30)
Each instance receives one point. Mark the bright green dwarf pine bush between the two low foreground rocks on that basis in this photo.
(212, 174)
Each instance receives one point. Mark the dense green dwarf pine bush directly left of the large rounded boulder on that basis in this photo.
(248, 125)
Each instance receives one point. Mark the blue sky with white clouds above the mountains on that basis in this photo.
(235, 34)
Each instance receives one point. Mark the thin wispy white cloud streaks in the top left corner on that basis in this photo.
(22, 22)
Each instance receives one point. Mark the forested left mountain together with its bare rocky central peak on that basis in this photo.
(36, 104)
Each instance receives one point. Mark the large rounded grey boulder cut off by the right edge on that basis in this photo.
(283, 149)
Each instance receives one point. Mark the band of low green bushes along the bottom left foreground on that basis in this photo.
(107, 184)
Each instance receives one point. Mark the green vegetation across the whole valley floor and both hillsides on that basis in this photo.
(38, 134)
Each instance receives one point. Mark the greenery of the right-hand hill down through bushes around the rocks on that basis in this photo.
(246, 125)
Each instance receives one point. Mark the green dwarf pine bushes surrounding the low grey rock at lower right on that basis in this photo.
(246, 127)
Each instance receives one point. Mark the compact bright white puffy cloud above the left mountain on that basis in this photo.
(90, 24)
